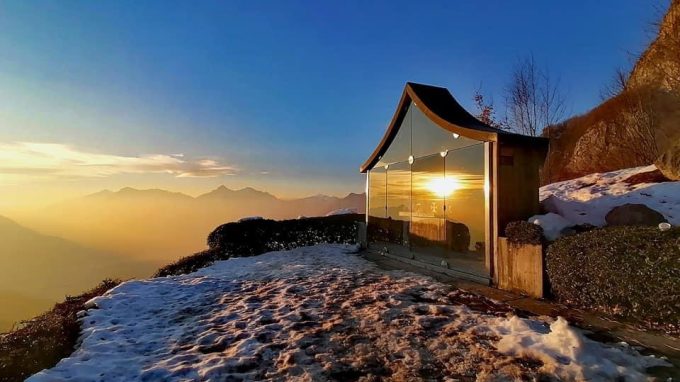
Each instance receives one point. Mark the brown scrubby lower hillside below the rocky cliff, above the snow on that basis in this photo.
(624, 131)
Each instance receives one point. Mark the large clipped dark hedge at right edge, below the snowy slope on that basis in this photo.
(630, 272)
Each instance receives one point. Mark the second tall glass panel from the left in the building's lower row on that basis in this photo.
(399, 201)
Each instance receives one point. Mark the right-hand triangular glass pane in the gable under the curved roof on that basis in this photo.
(429, 138)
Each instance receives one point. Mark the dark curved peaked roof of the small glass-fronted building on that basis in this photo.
(442, 109)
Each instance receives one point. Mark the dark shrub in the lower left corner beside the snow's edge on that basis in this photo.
(41, 342)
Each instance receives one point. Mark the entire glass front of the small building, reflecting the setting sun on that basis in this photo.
(427, 196)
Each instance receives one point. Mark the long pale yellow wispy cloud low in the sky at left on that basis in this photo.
(49, 160)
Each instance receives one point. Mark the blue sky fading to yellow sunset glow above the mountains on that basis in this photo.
(289, 97)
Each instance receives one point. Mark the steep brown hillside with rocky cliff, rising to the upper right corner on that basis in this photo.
(632, 128)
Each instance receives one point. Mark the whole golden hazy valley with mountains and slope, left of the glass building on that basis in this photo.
(71, 246)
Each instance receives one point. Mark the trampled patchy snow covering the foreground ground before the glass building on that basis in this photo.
(324, 313)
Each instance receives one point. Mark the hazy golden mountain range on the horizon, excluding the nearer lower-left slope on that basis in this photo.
(159, 226)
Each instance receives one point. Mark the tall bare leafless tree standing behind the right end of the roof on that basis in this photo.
(533, 99)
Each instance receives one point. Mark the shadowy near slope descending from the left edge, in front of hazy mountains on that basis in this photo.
(37, 270)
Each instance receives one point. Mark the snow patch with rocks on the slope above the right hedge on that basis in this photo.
(589, 198)
